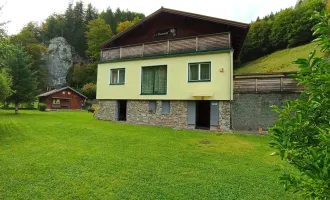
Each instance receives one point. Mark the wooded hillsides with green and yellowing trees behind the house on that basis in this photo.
(85, 28)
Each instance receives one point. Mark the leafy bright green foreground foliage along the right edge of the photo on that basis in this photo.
(301, 134)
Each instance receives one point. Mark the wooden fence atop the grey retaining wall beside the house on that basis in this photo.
(266, 83)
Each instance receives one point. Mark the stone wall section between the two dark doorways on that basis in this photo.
(138, 113)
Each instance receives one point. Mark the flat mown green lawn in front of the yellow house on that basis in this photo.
(69, 155)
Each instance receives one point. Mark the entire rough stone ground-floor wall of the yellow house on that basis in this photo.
(138, 113)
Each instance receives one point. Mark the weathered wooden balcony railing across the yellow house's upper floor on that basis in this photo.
(182, 45)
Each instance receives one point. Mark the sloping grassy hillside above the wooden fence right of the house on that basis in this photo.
(280, 61)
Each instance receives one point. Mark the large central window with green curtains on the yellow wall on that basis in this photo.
(154, 80)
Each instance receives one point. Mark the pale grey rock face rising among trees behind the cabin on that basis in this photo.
(58, 61)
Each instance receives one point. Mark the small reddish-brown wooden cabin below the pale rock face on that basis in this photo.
(64, 98)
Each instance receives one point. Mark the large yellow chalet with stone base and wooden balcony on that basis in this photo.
(171, 69)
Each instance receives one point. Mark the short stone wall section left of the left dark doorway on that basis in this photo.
(107, 110)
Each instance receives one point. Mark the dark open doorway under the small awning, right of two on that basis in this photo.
(203, 109)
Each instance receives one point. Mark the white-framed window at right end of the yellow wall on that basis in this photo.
(199, 72)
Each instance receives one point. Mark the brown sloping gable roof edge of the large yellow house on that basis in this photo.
(182, 13)
